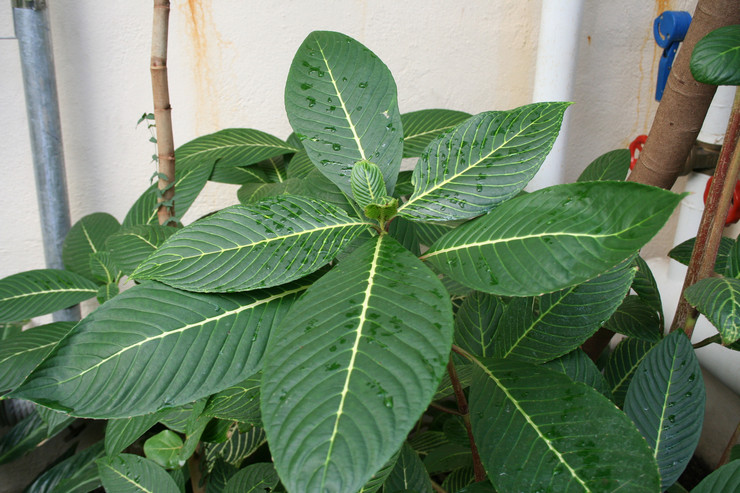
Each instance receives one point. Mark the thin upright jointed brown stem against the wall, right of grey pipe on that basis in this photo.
(163, 112)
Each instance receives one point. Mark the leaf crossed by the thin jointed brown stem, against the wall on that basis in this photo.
(190, 178)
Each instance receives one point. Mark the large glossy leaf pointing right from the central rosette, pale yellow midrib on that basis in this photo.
(553, 238)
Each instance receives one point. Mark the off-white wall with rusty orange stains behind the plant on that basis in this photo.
(228, 61)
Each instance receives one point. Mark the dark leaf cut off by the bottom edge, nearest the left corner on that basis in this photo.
(77, 474)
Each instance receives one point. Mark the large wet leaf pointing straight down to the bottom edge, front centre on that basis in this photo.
(359, 355)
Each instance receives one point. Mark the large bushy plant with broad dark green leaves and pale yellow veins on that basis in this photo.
(350, 326)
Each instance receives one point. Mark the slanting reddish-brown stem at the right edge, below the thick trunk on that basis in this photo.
(712, 221)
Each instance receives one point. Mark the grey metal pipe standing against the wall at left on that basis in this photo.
(31, 21)
